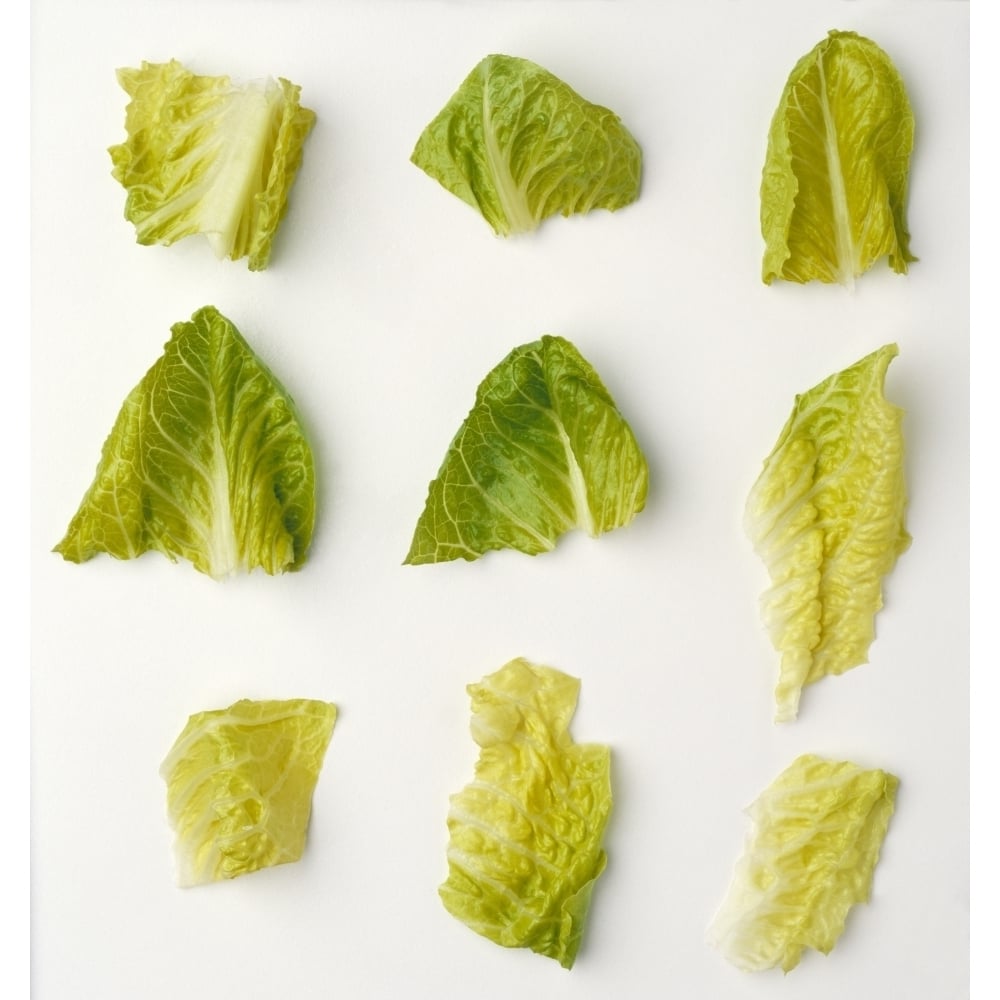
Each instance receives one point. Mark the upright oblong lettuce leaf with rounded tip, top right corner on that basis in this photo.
(834, 189)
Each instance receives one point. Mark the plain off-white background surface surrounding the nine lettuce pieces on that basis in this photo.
(386, 302)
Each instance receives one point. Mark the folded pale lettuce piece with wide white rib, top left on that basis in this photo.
(204, 155)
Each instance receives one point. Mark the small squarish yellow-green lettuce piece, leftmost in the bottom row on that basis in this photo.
(240, 782)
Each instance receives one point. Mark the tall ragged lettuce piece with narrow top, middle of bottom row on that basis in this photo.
(525, 834)
